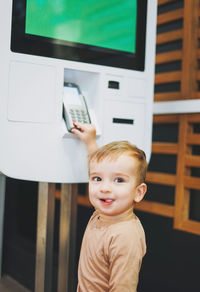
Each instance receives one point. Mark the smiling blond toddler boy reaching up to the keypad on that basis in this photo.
(114, 241)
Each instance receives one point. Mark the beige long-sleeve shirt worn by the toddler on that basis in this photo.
(111, 253)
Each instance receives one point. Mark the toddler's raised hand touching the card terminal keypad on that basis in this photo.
(87, 133)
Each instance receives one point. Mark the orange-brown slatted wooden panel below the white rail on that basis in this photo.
(183, 180)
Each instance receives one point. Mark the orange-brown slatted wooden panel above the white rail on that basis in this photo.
(187, 53)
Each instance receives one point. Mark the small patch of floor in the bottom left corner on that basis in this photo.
(7, 284)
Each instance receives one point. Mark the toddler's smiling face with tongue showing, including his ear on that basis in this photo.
(113, 187)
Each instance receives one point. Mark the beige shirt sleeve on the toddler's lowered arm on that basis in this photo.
(125, 258)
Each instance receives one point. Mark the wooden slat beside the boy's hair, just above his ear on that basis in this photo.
(161, 178)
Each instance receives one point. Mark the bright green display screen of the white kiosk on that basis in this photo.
(104, 23)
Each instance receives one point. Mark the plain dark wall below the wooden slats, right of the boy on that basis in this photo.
(172, 262)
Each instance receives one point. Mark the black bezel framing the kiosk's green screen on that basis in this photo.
(48, 47)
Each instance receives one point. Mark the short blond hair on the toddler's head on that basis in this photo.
(114, 149)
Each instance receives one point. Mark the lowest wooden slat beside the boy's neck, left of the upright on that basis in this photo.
(155, 208)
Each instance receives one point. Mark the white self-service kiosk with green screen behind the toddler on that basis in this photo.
(106, 48)
